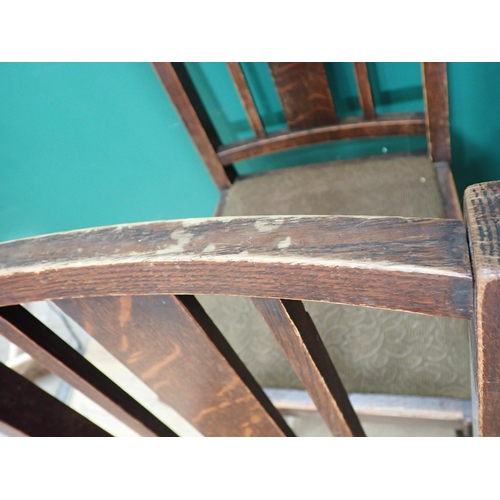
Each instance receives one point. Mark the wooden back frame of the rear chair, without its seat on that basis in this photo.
(313, 121)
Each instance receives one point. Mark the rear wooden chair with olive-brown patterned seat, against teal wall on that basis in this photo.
(375, 351)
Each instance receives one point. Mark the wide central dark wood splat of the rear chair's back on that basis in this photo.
(304, 93)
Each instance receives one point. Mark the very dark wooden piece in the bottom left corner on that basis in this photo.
(33, 412)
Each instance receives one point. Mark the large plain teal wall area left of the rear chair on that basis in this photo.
(93, 144)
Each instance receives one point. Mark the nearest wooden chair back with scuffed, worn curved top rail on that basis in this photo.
(131, 287)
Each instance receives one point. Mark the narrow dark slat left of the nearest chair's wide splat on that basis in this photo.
(33, 337)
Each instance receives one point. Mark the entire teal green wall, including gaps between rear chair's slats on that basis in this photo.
(94, 144)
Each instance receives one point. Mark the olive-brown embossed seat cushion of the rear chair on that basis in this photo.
(374, 350)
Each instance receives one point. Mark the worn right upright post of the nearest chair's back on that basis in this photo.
(482, 215)
